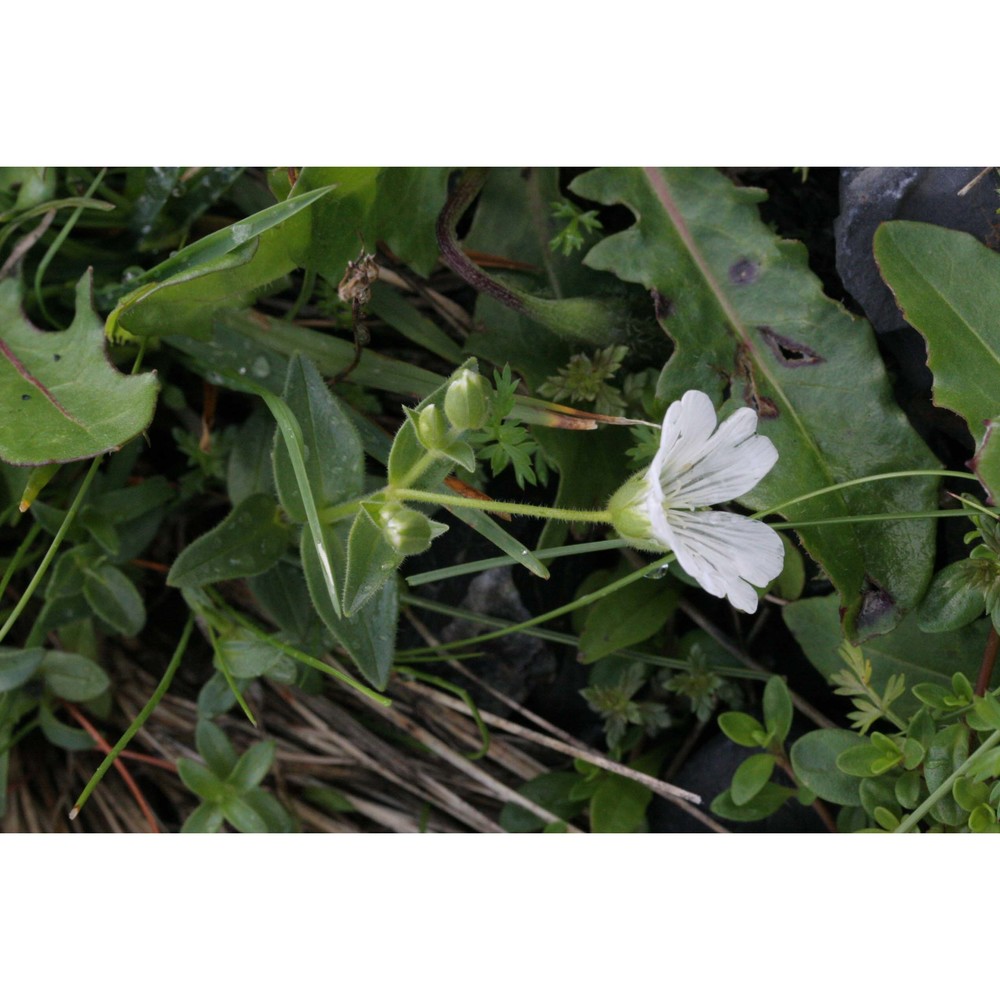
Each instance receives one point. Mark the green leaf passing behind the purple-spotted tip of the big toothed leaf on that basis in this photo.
(918, 656)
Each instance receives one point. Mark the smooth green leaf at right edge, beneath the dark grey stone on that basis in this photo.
(948, 286)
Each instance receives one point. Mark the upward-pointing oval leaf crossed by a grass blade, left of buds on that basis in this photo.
(334, 461)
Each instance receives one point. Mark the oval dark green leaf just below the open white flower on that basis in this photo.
(626, 618)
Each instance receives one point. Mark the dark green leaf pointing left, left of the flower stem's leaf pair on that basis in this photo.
(250, 540)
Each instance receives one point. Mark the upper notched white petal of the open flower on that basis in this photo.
(695, 470)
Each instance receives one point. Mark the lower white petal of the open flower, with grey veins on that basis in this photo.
(726, 553)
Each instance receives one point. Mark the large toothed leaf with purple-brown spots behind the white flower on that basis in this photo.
(751, 325)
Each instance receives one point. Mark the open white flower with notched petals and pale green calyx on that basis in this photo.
(699, 464)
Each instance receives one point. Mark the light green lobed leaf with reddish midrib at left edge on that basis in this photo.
(60, 398)
